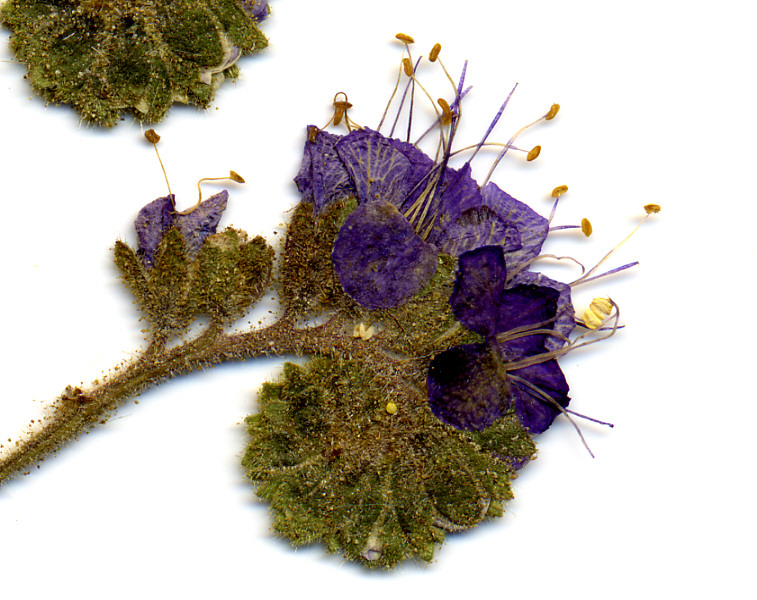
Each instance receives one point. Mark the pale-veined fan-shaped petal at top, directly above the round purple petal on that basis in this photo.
(378, 169)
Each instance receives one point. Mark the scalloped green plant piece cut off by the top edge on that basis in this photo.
(105, 57)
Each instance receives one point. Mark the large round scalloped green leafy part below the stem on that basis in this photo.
(337, 467)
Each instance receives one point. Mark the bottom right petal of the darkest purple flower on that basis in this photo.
(535, 412)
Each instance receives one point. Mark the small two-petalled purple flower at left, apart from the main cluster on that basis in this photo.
(160, 215)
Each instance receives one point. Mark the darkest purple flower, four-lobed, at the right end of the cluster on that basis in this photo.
(473, 385)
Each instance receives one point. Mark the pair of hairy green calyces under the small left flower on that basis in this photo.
(228, 275)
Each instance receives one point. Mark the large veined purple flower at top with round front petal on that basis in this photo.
(436, 209)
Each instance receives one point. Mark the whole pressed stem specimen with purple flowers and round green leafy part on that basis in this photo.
(431, 341)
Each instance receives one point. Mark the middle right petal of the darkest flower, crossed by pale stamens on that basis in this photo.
(523, 306)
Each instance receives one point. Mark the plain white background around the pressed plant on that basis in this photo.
(657, 106)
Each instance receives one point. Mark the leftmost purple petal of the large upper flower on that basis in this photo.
(323, 178)
